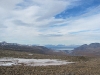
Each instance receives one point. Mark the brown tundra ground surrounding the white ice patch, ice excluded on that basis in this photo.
(82, 66)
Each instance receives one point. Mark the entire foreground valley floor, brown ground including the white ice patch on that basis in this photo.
(83, 65)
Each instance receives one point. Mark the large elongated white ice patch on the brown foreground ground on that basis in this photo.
(31, 62)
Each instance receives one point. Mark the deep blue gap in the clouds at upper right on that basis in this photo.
(78, 10)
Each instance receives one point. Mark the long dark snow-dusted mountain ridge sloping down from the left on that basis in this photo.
(28, 48)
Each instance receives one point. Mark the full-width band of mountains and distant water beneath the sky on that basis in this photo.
(92, 49)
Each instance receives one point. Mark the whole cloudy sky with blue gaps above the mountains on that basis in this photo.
(50, 21)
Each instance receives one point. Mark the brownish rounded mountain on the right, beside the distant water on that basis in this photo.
(92, 49)
